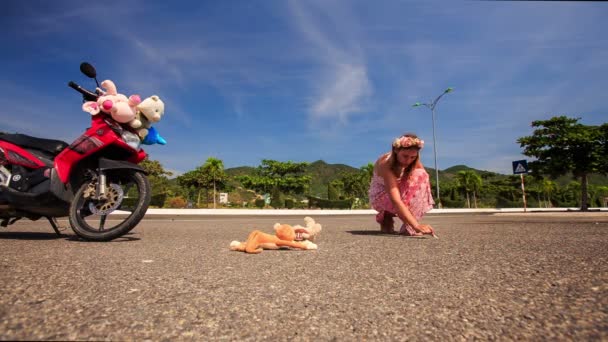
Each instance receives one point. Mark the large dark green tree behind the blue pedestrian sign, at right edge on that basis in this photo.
(562, 145)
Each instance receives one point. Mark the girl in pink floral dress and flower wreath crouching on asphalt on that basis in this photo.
(400, 187)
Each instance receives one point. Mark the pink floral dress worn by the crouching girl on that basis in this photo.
(415, 193)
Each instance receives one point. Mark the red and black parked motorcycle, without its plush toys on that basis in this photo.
(87, 180)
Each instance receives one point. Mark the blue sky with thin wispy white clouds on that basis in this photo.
(286, 80)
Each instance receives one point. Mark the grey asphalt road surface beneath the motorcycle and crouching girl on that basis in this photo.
(508, 277)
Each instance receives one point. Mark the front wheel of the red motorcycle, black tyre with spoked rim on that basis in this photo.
(127, 197)
